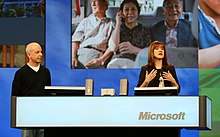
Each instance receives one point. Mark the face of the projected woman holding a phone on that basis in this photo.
(130, 12)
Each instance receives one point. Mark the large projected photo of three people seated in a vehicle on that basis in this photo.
(96, 43)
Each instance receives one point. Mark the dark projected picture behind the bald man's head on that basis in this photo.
(21, 21)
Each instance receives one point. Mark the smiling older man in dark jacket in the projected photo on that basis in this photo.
(176, 33)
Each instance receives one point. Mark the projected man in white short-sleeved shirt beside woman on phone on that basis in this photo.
(90, 38)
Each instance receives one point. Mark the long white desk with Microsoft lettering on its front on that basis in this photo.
(112, 111)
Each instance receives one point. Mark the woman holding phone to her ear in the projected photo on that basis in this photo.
(127, 39)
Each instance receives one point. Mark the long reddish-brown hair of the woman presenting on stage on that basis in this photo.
(153, 46)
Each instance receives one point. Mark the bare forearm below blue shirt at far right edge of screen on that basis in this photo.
(209, 57)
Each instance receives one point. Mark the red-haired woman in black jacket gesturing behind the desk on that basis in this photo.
(158, 70)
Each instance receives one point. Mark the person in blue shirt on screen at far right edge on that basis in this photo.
(209, 33)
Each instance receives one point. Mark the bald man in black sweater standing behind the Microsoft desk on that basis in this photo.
(30, 80)
